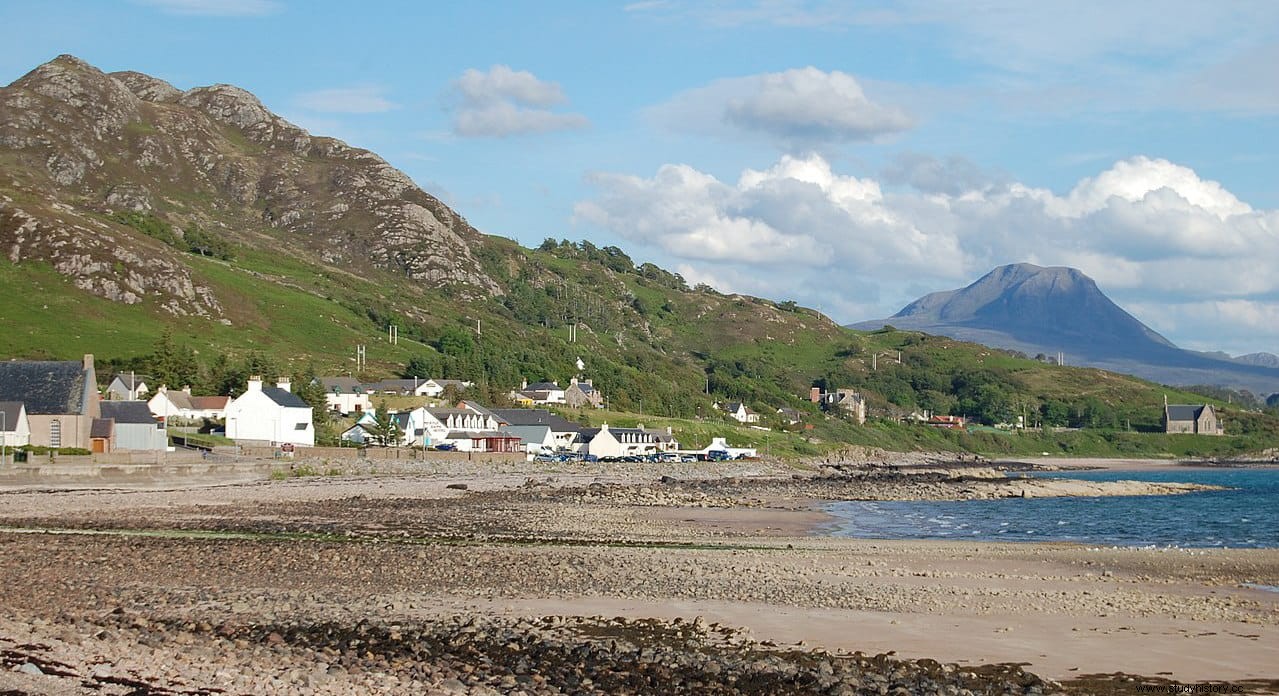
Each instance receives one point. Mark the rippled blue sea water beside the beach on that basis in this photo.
(1244, 516)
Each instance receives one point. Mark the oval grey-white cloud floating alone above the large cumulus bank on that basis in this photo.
(799, 109)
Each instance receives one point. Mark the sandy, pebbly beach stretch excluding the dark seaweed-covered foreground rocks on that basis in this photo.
(386, 548)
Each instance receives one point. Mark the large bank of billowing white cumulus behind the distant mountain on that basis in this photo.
(1150, 232)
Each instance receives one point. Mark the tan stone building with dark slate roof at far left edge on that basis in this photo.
(61, 400)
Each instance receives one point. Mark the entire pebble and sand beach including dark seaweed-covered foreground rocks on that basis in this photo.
(681, 579)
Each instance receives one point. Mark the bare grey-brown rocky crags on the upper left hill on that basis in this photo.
(79, 144)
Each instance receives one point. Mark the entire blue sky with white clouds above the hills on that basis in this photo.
(851, 157)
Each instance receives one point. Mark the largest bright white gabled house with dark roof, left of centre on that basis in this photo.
(271, 415)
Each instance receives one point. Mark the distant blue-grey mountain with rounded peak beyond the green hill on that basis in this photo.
(1060, 310)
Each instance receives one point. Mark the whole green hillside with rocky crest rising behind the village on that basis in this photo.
(208, 240)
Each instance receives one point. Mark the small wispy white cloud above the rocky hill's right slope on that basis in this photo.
(502, 103)
